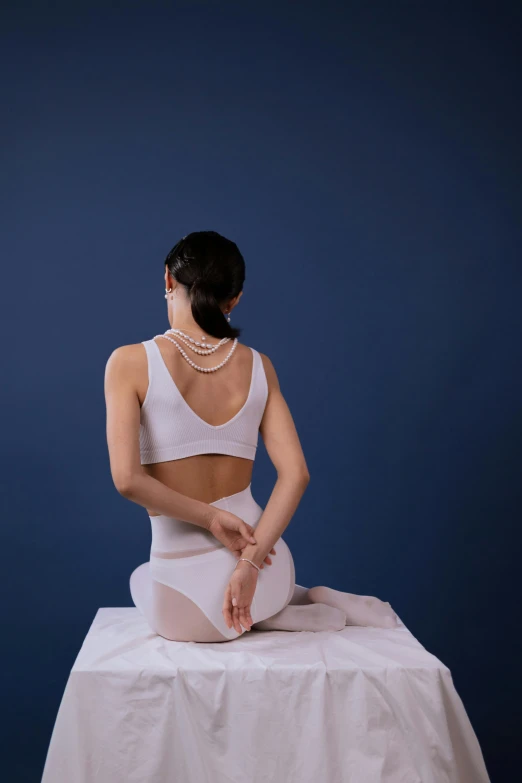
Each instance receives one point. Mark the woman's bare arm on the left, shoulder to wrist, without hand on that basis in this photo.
(123, 426)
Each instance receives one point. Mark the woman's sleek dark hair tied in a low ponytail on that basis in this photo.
(213, 271)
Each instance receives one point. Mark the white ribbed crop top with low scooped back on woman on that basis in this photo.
(170, 429)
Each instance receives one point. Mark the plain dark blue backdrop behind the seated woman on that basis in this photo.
(366, 159)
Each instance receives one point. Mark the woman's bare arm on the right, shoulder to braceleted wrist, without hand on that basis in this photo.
(284, 449)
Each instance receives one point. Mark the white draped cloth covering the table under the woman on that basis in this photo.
(359, 705)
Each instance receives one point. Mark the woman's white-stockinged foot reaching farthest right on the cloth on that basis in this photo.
(359, 609)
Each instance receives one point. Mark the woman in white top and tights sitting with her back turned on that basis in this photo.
(184, 410)
